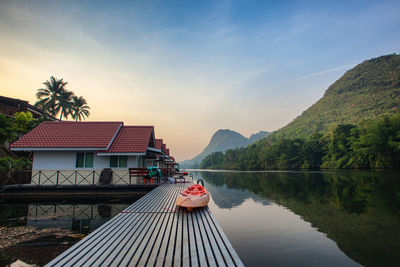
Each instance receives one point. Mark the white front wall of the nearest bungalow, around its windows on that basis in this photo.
(66, 160)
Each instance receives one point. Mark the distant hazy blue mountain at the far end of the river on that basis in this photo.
(223, 140)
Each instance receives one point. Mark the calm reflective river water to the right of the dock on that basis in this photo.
(347, 218)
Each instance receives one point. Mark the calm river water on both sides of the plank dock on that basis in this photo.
(346, 218)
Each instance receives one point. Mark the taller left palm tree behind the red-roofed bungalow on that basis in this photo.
(48, 96)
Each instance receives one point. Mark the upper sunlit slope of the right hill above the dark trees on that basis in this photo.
(369, 89)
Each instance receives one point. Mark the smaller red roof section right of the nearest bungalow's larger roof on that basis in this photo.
(132, 139)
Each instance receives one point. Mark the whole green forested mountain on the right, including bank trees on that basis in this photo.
(356, 124)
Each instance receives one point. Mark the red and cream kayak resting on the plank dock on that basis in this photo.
(194, 196)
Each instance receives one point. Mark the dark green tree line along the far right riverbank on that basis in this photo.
(371, 144)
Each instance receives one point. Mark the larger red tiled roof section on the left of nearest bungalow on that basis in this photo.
(69, 134)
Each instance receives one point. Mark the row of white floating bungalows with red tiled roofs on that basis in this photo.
(79, 153)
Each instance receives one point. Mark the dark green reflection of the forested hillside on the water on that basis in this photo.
(358, 210)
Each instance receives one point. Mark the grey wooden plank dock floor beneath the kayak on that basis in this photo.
(154, 232)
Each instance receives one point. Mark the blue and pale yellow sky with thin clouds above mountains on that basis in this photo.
(192, 67)
